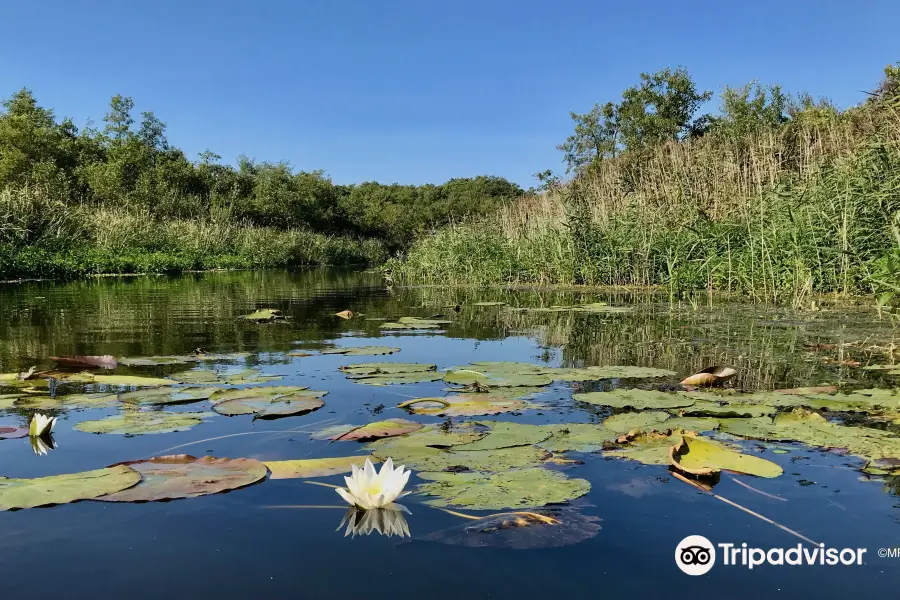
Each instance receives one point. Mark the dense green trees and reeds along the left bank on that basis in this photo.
(122, 199)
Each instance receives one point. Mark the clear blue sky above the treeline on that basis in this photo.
(417, 90)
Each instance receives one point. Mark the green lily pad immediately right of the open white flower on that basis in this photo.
(521, 488)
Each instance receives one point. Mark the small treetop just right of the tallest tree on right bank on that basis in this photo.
(749, 108)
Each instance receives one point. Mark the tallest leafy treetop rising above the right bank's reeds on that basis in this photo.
(660, 109)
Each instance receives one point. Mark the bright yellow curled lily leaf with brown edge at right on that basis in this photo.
(704, 458)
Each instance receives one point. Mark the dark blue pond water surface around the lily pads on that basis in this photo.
(239, 543)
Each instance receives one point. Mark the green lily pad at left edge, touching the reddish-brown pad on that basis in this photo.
(62, 489)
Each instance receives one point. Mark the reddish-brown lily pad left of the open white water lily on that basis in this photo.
(184, 476)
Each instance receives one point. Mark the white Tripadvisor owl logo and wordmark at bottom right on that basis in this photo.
(696, 555)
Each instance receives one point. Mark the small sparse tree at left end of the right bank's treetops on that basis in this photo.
(596, 137)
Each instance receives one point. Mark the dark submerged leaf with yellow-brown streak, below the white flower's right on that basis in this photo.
(521, 530)
